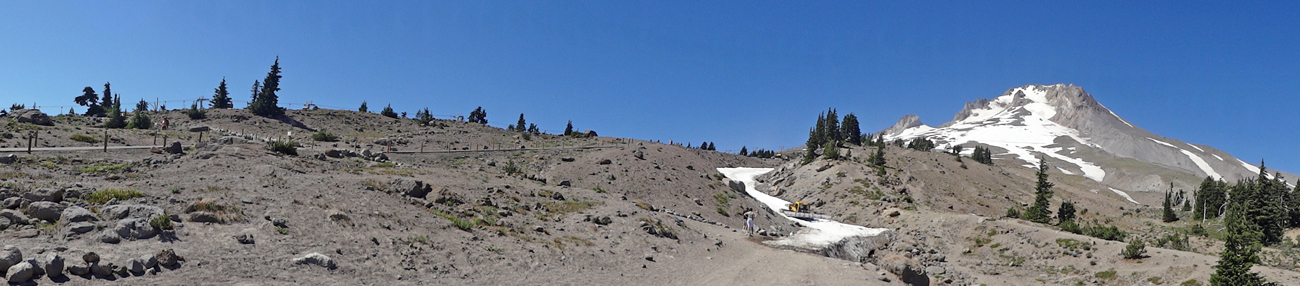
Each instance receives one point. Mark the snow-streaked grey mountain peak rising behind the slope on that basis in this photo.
(1080, 136)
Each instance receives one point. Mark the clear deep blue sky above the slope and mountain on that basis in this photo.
(742, 73)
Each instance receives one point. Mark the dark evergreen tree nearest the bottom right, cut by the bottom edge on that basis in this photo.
(1241, 250)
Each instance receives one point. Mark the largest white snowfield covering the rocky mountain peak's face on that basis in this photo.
(993, 127)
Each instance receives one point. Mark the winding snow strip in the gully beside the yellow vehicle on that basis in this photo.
(817, 235)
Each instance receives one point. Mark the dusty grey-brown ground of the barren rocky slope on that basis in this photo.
(501, 187)
